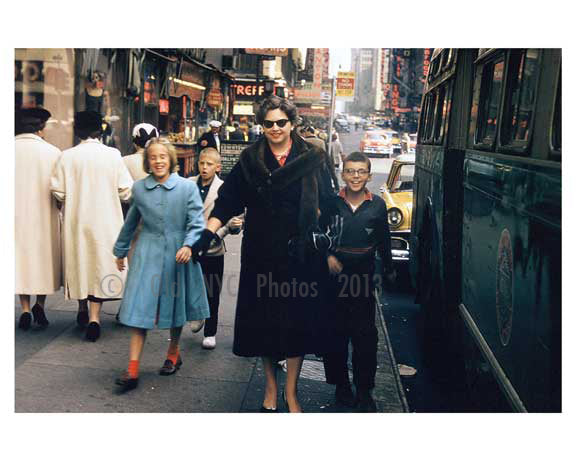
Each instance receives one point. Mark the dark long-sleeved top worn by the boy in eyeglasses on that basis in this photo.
(365, 231)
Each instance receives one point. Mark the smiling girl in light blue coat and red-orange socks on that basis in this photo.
(164, 288)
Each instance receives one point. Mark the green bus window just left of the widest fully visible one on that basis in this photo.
(490, 94)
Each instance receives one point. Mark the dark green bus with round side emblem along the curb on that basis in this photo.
(486, 228)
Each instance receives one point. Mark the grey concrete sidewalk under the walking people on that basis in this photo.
(58, 371)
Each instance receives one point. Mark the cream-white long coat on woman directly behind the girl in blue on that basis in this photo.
(91, 179)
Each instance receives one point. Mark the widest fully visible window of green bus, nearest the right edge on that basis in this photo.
(521, 97)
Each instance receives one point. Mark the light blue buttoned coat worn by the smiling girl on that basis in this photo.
(160, 292)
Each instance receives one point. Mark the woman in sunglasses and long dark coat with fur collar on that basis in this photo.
(280, 180)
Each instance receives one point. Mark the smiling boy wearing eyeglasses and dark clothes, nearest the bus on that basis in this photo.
(352, 265)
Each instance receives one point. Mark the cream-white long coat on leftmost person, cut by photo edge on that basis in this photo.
(37, 230)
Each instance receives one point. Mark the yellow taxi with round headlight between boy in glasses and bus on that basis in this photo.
(397, 193)
